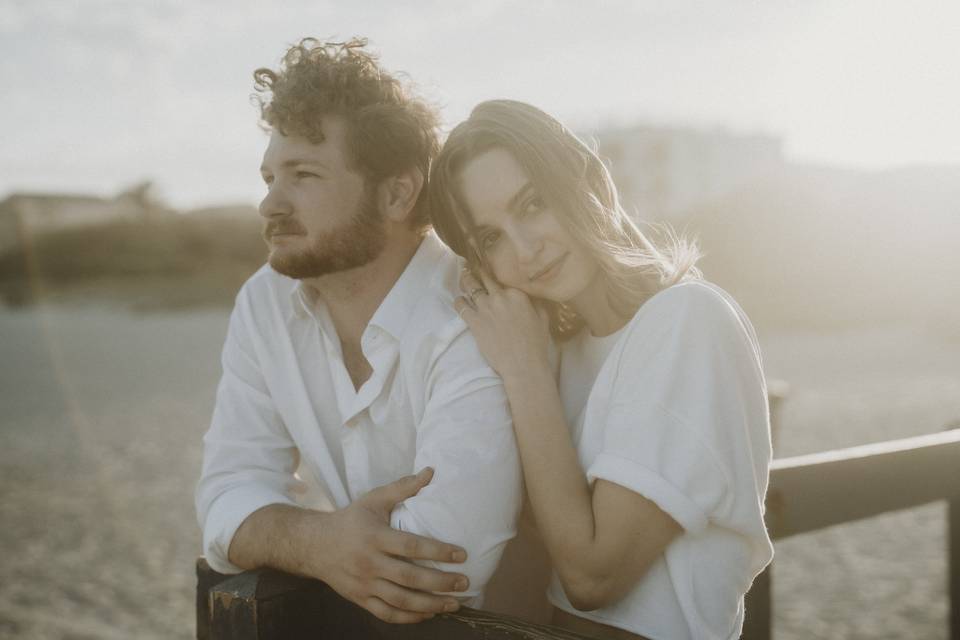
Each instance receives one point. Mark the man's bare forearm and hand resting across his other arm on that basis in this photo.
(357, 553)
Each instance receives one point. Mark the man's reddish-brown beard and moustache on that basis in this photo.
(352, 245)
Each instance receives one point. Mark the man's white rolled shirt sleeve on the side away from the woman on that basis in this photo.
(248, 457)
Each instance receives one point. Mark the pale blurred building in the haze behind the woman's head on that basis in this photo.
(662, 172)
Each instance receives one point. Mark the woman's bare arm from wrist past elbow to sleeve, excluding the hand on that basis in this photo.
(601, 539)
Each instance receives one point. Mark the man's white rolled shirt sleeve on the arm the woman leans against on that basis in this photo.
(466, 435)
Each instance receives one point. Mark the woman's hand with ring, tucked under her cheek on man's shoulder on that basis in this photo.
(512, 333)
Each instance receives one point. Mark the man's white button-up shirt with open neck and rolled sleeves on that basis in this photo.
(287, 405)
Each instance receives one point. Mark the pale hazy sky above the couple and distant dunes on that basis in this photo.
(102, 93)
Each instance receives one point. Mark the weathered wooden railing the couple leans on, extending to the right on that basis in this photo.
(806, 493)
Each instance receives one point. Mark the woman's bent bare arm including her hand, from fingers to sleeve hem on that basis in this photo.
(601, 540)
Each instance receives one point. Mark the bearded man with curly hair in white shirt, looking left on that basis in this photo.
(346, 363)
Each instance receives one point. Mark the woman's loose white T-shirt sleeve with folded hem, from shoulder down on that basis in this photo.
(687, 422)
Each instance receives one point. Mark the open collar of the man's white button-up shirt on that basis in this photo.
(398, 306)
